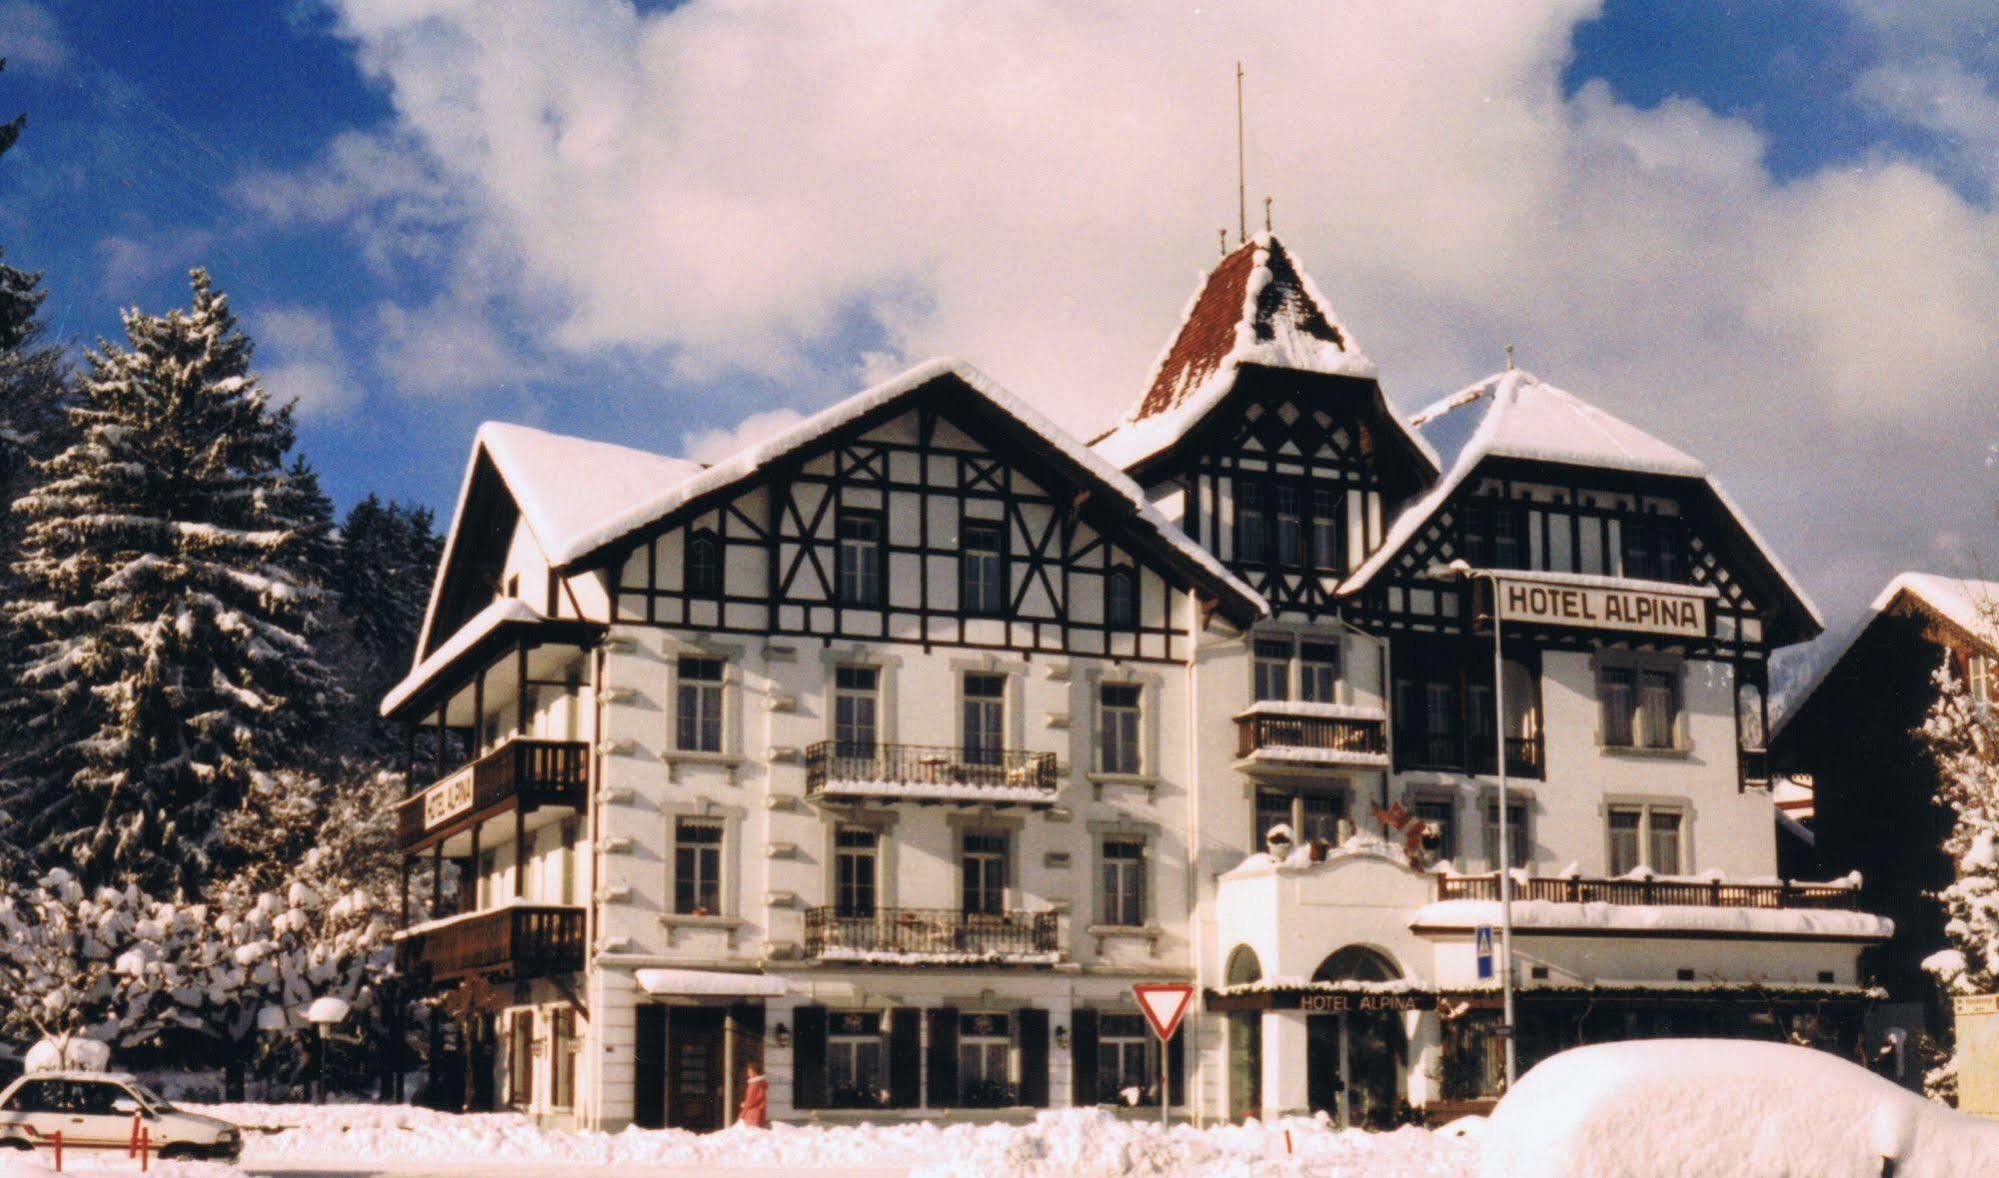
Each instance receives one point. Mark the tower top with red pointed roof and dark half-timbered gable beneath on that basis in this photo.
(1264, 435)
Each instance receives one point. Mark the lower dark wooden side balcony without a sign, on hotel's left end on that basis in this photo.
(517, 943)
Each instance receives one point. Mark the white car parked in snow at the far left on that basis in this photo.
(97, 1111)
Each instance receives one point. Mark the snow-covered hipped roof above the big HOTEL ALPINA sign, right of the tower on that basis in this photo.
(1516, 415)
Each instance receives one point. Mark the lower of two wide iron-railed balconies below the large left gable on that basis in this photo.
(925, 937)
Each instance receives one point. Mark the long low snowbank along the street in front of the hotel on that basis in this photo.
(1068, 1145)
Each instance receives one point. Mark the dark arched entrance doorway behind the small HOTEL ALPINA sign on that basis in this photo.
(1356, 1059)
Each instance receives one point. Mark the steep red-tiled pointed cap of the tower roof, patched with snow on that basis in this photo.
(1256, 307)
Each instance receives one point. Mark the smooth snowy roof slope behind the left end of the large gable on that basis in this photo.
(567, 487)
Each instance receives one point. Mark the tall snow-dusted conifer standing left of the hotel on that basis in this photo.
(167, 607)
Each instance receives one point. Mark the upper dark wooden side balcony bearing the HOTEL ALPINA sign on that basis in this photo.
(521, 773)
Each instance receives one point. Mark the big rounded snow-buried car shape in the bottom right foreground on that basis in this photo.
(1694, 1109)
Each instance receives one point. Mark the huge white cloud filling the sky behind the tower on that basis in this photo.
(1032, 187)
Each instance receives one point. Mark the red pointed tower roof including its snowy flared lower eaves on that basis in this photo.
(1256, 307)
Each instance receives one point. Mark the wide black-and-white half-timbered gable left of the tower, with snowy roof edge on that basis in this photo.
(935, 517)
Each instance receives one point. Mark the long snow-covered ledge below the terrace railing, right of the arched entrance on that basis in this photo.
(1666, 919)
